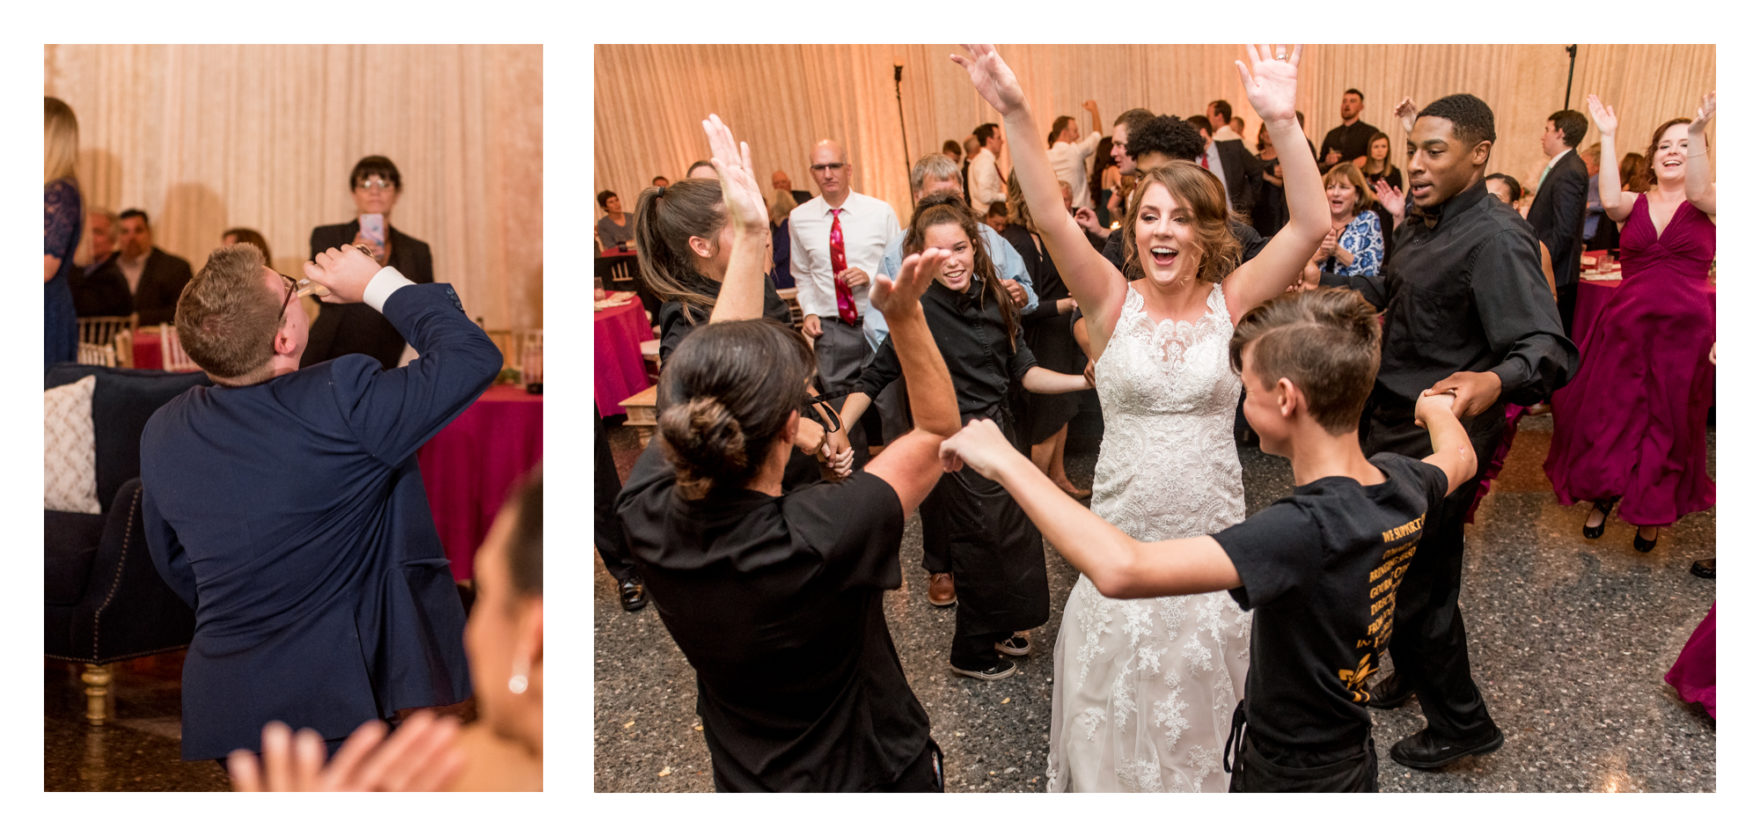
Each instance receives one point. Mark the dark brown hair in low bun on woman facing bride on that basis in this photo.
(726, 399)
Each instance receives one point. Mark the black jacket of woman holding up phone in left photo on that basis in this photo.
(356, 328)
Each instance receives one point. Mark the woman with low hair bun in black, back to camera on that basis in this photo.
(777, 598)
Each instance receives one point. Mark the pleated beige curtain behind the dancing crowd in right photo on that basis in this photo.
(649, 101)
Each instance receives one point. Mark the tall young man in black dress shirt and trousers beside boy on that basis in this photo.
(1467, 312)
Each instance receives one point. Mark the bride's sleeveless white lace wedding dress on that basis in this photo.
(1145, 691)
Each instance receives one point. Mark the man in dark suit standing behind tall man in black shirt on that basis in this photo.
(1562, 205)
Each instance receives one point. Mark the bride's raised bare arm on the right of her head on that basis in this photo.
(1272, 89)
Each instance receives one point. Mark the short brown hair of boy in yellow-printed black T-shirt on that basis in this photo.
(1328, 342)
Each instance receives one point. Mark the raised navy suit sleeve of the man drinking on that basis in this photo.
(397, 411)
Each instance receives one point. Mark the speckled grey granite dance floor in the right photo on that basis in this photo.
(1569, 638)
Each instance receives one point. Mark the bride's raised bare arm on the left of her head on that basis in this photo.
(1096, 284)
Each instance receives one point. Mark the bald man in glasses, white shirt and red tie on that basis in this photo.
(835, 246)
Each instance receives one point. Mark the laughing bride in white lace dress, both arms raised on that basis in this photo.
(1147, 689)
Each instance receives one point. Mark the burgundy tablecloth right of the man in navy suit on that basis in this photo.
(474, 462)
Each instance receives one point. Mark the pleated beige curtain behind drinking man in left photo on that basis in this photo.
(209, 138)
